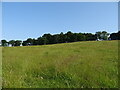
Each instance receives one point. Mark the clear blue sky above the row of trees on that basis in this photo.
(22, 20)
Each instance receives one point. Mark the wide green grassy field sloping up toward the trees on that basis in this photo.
(90, 64)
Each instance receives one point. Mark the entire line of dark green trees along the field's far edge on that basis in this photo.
(63, 38)
